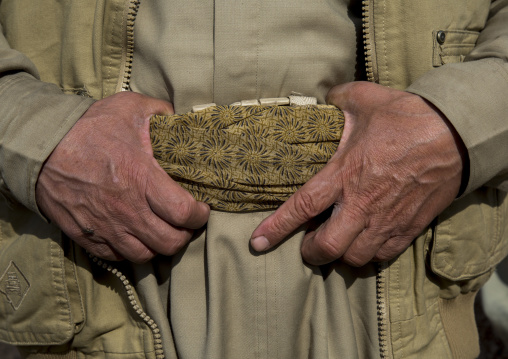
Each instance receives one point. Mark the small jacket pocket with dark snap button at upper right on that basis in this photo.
(452, 45)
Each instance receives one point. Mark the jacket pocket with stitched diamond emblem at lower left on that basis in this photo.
(34, 296)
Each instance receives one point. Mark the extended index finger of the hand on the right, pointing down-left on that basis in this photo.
(317, 195)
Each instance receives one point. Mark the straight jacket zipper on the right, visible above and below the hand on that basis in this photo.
(381, 268)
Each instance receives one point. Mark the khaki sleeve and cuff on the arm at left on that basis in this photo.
(34, 117)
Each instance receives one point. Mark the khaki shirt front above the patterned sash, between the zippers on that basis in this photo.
(231, 51)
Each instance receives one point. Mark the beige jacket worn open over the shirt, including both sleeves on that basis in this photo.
(453, 53)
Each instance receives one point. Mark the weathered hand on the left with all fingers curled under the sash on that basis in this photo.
(102, 177)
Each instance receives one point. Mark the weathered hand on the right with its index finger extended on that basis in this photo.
(398, 165)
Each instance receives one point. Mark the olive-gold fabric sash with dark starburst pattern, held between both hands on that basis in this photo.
(246, 158)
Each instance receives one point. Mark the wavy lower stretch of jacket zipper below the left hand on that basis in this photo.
(159, 352)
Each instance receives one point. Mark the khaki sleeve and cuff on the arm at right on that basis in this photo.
(474, 97)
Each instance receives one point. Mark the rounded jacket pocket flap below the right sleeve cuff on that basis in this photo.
(470, 238)
